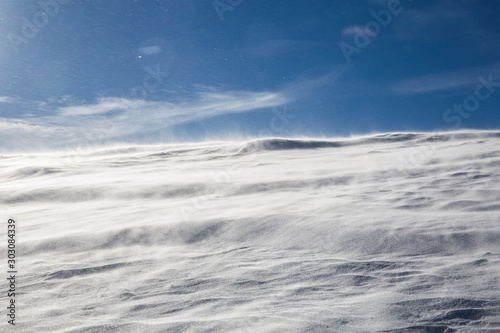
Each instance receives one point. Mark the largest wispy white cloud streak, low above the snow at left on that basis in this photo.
(111, 118)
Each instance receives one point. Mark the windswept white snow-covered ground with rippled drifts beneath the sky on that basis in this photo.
(397, 232)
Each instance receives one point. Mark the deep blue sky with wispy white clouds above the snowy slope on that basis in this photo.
(143, 71)
